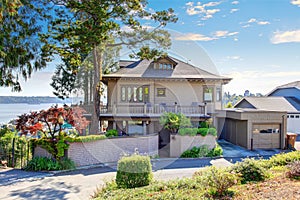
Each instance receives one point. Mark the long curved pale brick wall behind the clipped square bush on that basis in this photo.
(110, 150)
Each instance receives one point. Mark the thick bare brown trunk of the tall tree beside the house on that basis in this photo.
(97, 88)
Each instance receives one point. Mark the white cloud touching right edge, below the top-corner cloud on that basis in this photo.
(285, 37)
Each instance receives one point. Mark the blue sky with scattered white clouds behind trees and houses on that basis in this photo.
(254, 42)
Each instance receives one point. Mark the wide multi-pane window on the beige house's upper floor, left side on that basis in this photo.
(132, 93)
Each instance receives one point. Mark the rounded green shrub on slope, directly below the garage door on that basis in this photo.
(250, 170)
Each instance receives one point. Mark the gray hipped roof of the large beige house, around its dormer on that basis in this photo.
(145, 69)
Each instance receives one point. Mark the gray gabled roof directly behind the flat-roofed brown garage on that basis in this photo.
(268, 103)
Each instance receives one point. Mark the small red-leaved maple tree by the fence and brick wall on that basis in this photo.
(50, 123)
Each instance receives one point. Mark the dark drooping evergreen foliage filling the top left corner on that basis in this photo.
(22, 51)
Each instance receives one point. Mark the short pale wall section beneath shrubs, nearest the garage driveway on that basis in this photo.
(179, 144)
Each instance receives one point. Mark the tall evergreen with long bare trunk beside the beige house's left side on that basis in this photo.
(90, 26)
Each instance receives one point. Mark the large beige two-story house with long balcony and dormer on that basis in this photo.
(141, 91)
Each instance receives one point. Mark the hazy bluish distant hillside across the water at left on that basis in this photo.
(34, 100)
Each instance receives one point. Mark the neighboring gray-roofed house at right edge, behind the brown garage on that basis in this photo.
(282, 98)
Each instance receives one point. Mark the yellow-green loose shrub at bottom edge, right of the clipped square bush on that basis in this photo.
(216, 181)
